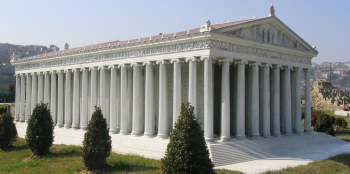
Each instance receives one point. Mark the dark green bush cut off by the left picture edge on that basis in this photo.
(8, 131)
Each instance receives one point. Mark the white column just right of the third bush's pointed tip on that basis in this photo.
(103, 89)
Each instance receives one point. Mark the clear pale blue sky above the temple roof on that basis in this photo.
(323, 23)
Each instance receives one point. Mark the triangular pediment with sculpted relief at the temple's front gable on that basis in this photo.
(268, 29)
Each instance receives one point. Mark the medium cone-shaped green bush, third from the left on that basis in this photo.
(97, 143)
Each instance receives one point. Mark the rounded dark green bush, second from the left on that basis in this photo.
(39, 135)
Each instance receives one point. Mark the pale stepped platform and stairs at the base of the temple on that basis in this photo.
(245, 155)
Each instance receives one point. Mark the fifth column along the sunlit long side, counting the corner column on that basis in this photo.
(149, 100)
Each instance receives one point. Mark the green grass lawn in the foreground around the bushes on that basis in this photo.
(67, 159)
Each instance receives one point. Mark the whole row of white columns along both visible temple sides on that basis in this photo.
(256, 99)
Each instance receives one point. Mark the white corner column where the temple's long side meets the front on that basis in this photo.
(208, 99)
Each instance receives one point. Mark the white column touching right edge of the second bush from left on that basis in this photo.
(53, 101)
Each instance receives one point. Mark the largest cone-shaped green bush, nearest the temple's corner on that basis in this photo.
(187, 151)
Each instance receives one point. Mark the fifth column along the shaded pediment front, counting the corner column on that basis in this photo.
(266, 101)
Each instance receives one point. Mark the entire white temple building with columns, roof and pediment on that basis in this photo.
(242, 77)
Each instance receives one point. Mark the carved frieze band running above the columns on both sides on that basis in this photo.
(193, 45)
